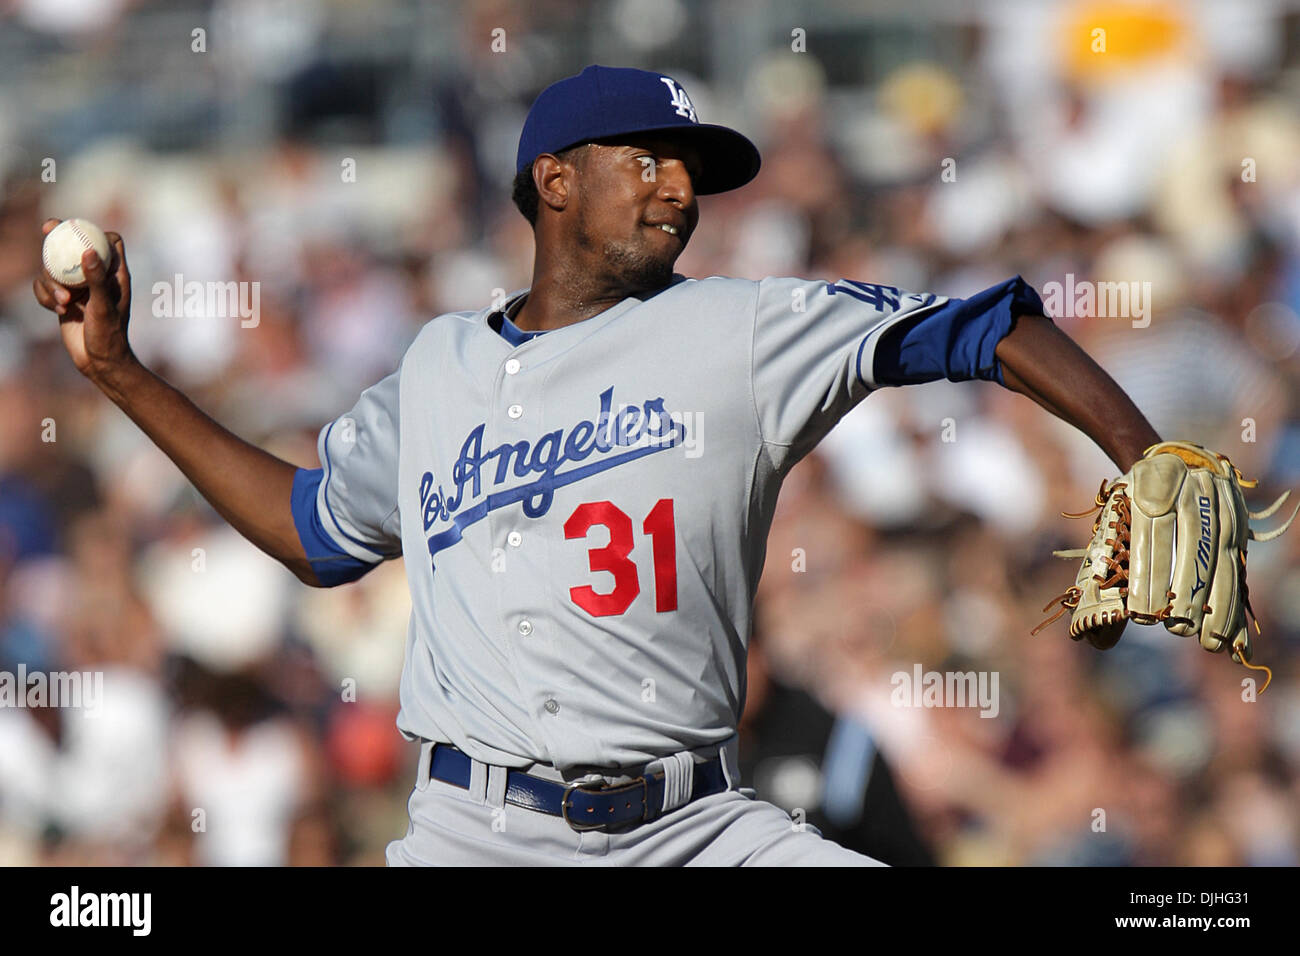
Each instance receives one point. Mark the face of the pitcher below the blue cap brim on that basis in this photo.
(636, 209)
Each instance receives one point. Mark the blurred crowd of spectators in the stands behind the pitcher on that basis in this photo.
(249, 720)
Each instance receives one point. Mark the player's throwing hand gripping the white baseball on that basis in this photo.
(93, 319)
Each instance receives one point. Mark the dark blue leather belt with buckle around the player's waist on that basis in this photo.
(584, 807)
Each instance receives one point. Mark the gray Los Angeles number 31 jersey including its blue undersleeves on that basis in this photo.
(584, 512)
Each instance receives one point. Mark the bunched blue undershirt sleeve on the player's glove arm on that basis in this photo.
(957, 340)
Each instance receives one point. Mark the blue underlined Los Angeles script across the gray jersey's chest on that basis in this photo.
(614, 438)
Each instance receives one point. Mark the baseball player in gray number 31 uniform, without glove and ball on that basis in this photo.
(582, 481)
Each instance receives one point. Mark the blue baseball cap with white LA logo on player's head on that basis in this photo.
(612, 102)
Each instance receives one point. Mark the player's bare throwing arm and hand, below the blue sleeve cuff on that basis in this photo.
(248, 487)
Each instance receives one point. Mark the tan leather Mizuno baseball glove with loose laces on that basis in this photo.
(1169, 548)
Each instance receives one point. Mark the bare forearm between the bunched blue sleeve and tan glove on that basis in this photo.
(1041, 361)
